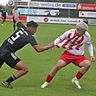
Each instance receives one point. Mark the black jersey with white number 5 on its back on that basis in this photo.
(19, 39)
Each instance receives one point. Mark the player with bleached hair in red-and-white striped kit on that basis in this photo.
(73, 41)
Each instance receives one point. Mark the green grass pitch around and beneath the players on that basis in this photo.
(40, 64)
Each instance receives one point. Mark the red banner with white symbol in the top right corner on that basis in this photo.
(86, 6)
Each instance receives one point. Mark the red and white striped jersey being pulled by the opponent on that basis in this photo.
(72, 42)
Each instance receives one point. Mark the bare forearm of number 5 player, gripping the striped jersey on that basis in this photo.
(39, 48)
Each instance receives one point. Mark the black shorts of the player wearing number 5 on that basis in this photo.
(8, 57)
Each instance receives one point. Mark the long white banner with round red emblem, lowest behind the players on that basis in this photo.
(54, 20)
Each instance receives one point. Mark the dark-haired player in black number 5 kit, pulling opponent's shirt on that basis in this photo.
(21, 37)
